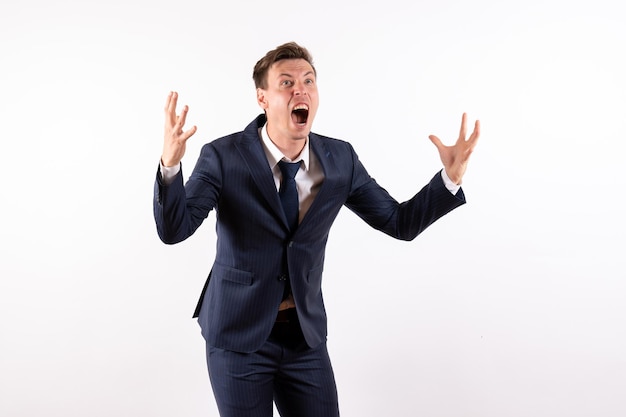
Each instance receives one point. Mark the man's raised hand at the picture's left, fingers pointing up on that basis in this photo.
(175, 139)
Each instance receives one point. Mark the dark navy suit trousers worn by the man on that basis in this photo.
(298, 379)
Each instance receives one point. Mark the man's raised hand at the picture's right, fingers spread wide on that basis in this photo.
(456, 157)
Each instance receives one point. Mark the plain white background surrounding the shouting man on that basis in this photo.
(512, 305)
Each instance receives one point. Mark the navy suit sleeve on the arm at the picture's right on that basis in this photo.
(405, 220)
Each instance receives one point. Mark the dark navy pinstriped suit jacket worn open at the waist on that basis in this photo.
(240, 300)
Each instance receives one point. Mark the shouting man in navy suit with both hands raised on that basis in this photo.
(261, 311)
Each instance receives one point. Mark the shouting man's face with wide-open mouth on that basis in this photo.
(290, 100)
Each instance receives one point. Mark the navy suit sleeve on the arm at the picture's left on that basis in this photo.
(179, 209)
